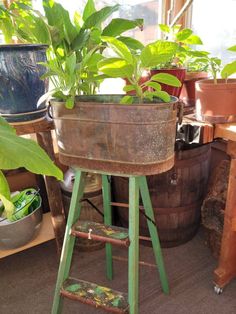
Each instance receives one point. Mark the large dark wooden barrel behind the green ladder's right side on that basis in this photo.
(176, 196)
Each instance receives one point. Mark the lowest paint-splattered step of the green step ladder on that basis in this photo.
(98, 296)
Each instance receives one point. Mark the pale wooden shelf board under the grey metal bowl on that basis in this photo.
(46, 233)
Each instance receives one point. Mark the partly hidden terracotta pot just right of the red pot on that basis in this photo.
(188, 93)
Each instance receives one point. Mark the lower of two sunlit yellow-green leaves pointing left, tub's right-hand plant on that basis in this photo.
(116, 67)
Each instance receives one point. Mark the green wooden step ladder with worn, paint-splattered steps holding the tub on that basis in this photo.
(91, 293)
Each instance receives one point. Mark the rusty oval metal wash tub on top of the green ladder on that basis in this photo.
(101, 134)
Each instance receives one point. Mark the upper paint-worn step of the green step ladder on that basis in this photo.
(100, 232)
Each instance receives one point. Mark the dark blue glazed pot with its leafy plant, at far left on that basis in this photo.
(20, 71)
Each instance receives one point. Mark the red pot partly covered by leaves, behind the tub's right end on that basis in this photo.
(179, 73)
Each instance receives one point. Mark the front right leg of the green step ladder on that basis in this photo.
(133, 264)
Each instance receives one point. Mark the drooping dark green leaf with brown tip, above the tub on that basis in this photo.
(119, 26)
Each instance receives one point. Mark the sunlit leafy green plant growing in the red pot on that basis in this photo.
(184, 39)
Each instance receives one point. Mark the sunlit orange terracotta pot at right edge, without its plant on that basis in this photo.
(216, 103)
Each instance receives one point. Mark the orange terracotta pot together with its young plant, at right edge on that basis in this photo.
(215, 98)
